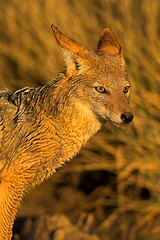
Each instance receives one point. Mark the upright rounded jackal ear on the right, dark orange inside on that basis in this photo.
(108, 43)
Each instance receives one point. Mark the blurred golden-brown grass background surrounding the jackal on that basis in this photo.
(116, 177)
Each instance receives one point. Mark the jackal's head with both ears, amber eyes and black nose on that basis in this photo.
(99, 79)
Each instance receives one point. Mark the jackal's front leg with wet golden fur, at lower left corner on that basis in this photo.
(12, 189)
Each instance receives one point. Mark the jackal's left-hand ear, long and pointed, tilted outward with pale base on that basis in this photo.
(75, 55)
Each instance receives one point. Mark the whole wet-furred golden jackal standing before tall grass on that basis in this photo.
(42, 128)
